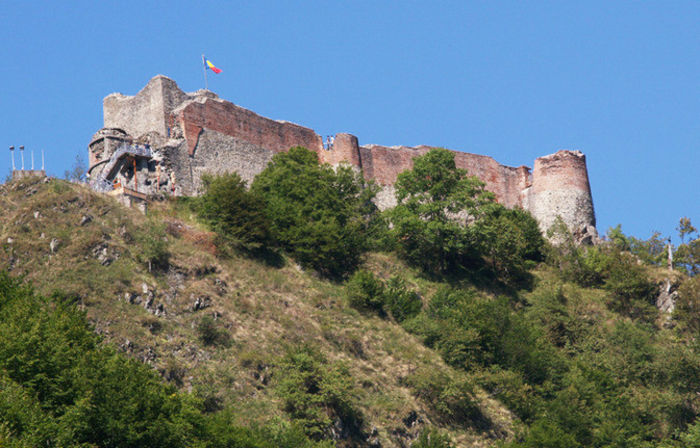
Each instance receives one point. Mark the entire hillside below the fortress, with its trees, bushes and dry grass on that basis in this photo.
(468, 330)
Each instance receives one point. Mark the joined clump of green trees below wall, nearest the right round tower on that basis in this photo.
(446, 222)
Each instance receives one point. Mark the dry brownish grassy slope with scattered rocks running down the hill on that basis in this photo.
(264, 309)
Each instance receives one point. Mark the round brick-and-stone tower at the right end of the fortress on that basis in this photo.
(560, 188)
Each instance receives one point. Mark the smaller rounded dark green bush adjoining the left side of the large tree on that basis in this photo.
(235, 214)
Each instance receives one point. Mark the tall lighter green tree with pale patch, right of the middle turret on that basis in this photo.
(435, 201)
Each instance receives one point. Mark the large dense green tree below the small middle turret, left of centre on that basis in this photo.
(318, 214)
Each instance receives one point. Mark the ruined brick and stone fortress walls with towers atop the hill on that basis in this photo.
(196, 133)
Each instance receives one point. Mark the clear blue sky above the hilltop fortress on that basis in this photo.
(515, 80)
